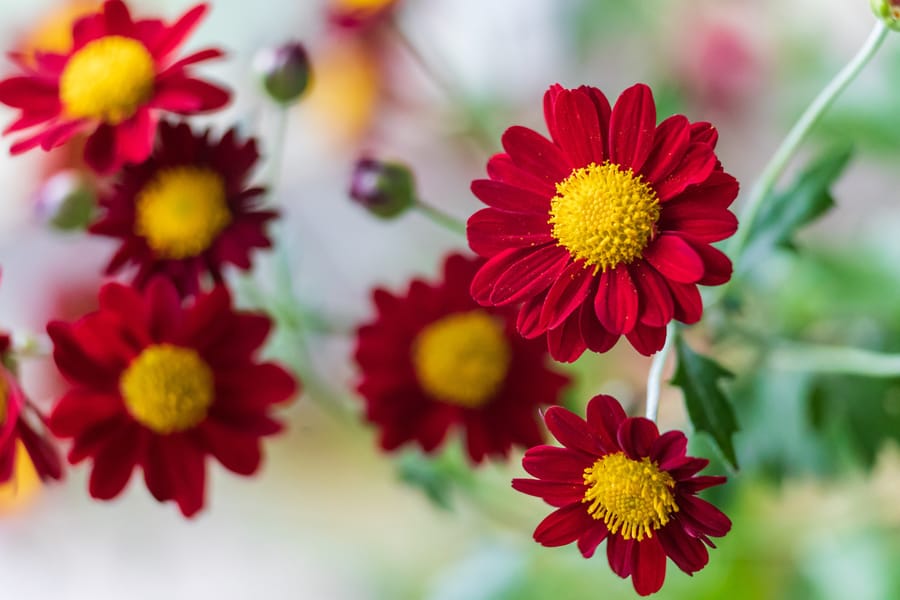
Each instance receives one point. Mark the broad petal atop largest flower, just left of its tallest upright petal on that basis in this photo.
(577, 129)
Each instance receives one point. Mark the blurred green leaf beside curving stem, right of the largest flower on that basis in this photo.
(807, 199)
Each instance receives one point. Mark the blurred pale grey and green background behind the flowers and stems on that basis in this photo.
(331, 517)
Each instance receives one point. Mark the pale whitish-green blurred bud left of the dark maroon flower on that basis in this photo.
(66, 201)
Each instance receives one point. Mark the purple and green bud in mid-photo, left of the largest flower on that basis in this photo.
(386, 189)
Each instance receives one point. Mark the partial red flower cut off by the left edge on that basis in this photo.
(15, 410)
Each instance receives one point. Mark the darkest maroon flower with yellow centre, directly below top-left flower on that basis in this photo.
(187, 210)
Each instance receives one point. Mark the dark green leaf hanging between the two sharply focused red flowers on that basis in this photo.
(708, 408)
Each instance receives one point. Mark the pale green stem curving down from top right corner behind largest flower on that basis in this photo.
(810, 117)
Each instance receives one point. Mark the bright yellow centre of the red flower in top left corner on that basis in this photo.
(107, 79)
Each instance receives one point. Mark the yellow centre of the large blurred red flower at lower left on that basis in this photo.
(168, 388)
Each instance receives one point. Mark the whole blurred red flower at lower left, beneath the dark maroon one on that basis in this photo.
(159, 384)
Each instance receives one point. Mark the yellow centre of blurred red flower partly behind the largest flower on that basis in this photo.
(462, 359)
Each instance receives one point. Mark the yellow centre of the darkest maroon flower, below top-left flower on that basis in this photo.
(181, 211)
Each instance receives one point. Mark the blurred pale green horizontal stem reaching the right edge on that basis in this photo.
(834, 359)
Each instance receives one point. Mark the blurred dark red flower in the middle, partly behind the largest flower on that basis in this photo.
(433, 359)
